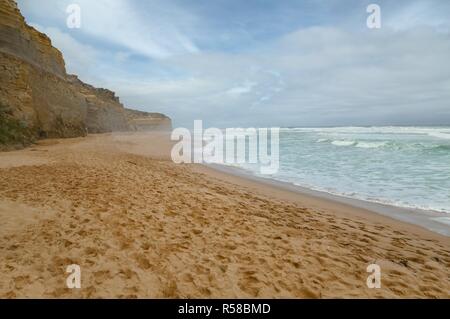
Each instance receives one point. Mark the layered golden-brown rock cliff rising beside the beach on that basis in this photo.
(38, 99)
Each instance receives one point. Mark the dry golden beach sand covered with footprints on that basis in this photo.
(141, 226)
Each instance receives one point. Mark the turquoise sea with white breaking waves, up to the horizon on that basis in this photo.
(401, 166)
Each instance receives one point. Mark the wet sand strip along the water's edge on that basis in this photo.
(425, 219)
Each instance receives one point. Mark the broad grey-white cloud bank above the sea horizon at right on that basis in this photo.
(318, 76)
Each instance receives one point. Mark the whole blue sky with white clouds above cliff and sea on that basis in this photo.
(261, 63)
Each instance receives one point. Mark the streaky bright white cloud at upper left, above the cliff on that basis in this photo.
(123, 23)
